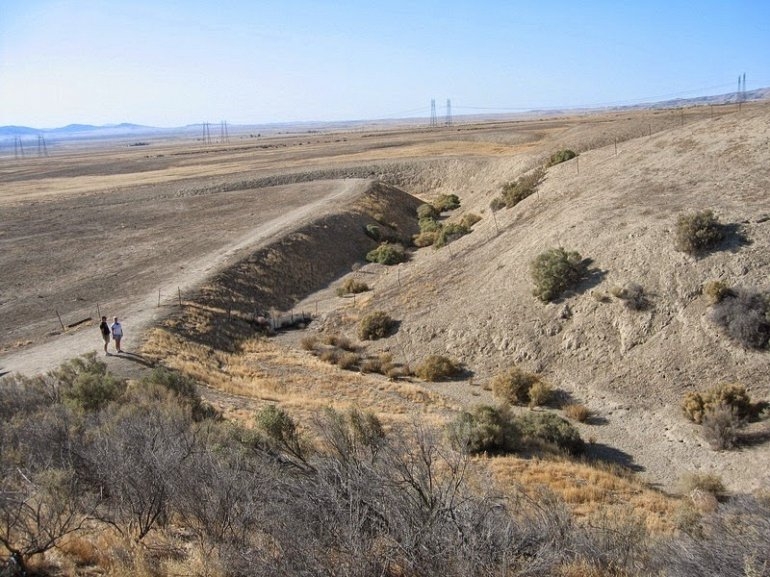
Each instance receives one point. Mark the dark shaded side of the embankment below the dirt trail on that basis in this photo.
(304, 260)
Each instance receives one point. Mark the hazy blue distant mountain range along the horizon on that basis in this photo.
(128, 129)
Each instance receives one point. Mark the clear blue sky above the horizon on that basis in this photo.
(177, 62)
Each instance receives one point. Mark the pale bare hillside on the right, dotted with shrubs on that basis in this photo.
(473, 300)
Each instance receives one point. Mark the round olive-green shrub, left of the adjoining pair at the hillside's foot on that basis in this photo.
(485, 429)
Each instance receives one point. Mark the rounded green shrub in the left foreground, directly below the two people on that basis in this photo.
(85, 382)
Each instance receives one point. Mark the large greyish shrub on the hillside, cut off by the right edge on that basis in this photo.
(743, 316)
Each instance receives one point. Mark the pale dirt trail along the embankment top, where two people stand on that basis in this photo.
(142, 313)
